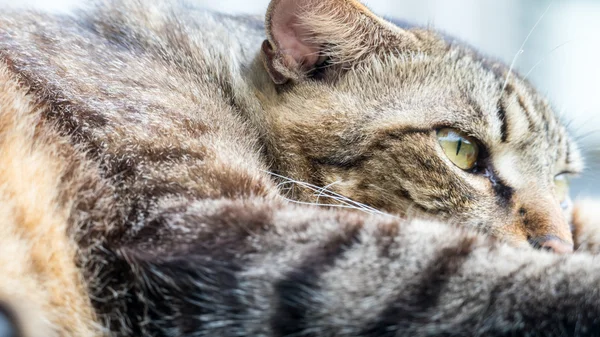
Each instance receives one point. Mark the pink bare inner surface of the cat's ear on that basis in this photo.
(291, 37)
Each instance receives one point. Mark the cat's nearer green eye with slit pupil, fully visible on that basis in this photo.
(461, 149)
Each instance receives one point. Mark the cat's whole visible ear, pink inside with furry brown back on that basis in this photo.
(303, 33)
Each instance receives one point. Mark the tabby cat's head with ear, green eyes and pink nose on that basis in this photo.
(404, 121)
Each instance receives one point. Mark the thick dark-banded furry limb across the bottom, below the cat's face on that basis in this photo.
(248, 268)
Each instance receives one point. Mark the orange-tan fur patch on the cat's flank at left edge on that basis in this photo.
(40, 283)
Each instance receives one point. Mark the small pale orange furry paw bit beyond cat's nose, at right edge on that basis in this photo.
(586, 226)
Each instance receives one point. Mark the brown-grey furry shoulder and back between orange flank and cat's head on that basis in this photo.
(147, 87)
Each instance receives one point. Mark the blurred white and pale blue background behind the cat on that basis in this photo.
(555, 43)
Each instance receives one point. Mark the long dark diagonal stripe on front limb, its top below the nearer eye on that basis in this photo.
(411, 307)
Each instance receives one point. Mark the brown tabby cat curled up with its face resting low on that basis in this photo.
(158, 159)
